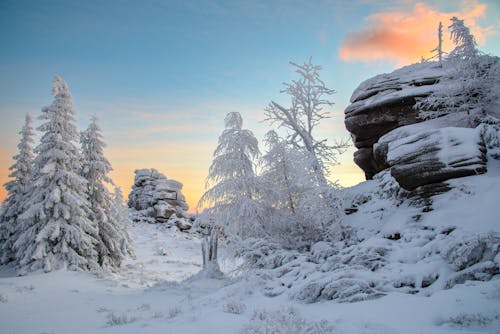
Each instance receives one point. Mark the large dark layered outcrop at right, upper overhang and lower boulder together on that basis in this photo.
(388, 134)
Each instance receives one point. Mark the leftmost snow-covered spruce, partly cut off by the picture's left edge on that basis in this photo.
(21, 173)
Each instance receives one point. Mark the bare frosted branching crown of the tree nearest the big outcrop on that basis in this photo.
(309, 95)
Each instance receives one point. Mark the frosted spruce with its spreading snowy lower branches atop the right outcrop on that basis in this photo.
(467, 90)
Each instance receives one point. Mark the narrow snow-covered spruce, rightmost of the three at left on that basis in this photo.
(113, 244)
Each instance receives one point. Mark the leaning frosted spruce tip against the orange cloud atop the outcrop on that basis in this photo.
(465, 43)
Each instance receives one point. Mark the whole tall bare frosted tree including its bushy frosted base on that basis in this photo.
(309, 97)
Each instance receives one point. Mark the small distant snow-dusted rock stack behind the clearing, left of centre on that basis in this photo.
(156, 197)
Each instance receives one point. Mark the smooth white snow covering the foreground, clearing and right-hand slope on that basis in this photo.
(157, 293)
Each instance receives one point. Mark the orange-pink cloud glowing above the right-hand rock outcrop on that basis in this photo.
(404, 37)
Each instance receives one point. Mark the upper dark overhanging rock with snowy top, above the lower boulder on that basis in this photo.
(384, 103)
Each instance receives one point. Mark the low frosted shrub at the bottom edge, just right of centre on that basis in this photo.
(284, 321)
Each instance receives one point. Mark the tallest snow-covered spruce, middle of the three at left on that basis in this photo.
(55, 231)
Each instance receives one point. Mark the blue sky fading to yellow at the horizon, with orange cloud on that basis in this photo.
(161, 75)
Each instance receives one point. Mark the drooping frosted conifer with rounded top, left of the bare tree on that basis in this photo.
(232, 183)
